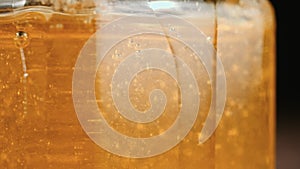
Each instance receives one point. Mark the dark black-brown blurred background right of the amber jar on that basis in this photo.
(288, 135)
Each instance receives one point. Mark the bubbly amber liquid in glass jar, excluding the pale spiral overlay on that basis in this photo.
(39, 127)
